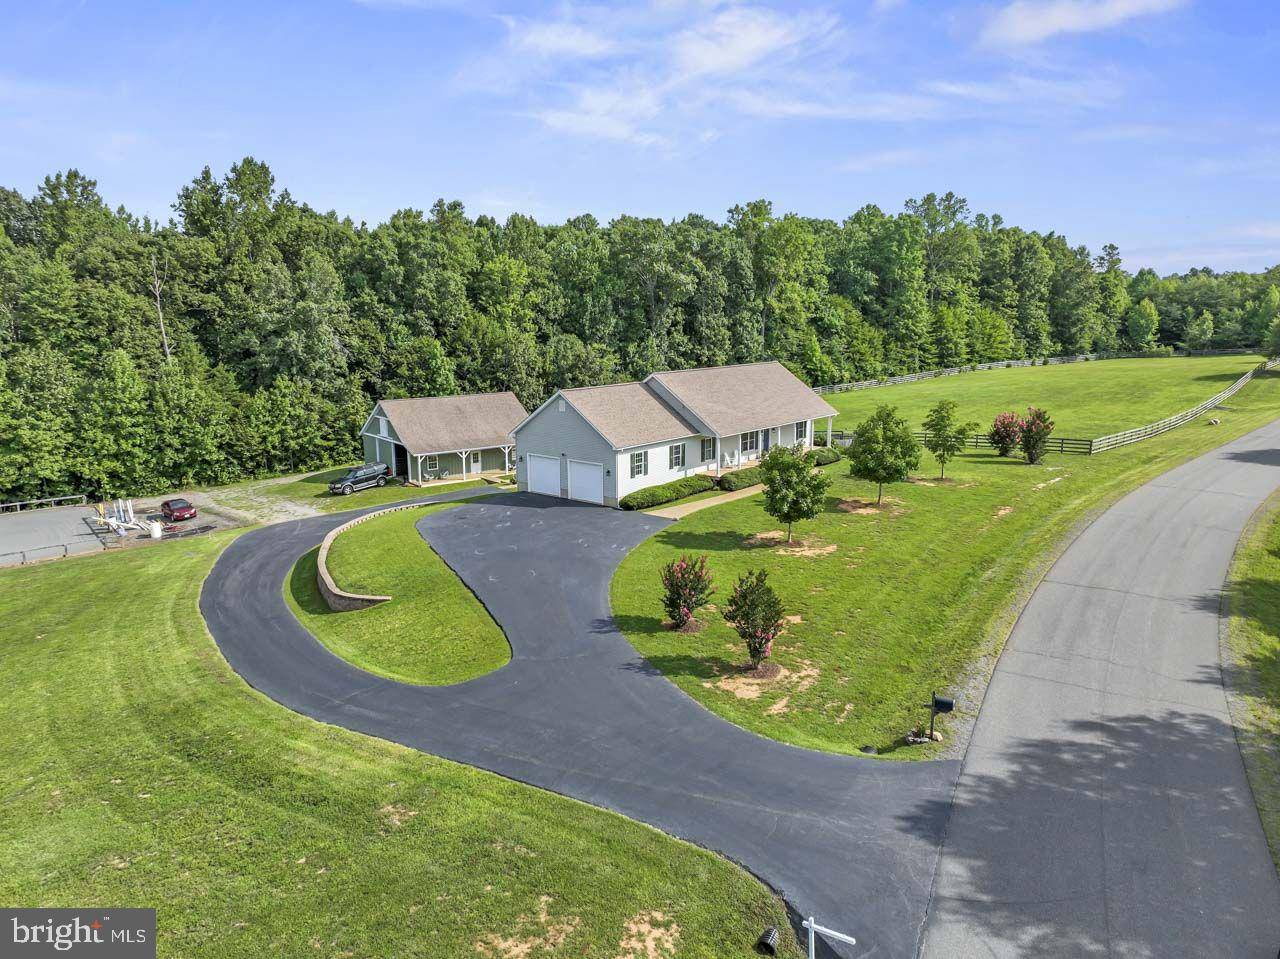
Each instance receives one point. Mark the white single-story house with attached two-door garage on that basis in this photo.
(600, 444)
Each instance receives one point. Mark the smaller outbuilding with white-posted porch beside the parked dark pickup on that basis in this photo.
(426, 439)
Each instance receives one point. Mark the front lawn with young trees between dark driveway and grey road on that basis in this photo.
(898, 602)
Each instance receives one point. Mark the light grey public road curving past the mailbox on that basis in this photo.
(1104, 807)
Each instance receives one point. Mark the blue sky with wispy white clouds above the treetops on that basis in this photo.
(1149, 124)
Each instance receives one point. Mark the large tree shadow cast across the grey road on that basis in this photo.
(1165, 801)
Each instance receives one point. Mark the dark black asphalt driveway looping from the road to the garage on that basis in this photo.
(579, 713)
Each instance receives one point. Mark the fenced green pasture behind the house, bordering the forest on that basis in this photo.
(1086, 400)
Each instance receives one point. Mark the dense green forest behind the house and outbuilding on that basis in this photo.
(249, 335)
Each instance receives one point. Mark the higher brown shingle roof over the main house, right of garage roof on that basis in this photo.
(747, 398)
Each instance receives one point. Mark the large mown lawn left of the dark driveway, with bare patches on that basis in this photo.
(140, 771)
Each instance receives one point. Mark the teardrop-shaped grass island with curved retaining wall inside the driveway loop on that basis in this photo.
(433, 631)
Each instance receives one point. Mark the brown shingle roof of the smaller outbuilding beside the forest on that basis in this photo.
(442, 424)
